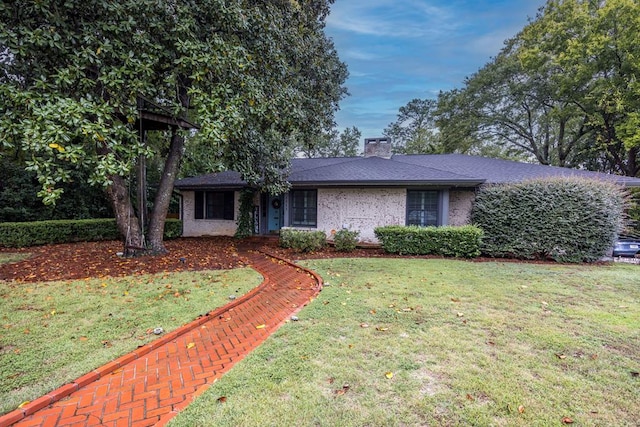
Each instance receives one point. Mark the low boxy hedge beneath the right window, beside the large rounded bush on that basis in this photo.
(446, 241)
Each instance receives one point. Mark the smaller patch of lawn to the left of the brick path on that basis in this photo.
(52, 333)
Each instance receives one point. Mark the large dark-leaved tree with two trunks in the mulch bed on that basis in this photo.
(253, 75)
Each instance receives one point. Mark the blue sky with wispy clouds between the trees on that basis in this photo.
(397, 50)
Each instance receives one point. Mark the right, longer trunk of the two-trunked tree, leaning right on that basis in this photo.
(163, 195)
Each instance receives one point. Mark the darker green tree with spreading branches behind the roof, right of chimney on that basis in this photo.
(513, 110)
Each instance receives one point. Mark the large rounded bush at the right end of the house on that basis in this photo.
(568, 220)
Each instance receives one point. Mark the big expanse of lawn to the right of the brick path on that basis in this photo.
(441, 342)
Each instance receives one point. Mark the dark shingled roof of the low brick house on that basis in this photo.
(405, 170)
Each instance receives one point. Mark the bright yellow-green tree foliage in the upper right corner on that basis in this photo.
(591, 51)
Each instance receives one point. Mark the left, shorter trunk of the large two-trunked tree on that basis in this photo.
(126, 218)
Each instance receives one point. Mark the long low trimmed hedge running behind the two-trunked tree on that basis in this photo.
(24, 234)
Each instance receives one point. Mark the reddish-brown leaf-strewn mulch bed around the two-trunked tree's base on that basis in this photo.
(99, 259)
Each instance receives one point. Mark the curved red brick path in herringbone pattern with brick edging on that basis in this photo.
(152, 384)
